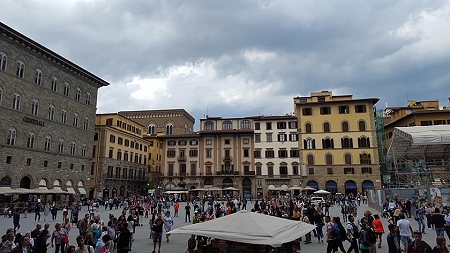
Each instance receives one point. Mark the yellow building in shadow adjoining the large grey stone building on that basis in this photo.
(121, 157)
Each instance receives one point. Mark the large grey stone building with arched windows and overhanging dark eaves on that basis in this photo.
(47, 108)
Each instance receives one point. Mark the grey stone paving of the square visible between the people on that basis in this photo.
(178, 242)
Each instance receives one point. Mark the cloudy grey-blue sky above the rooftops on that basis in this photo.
(240, 58)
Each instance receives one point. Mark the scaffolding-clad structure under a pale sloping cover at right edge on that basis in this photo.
(419, 156)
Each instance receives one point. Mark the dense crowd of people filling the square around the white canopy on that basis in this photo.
(96, 235)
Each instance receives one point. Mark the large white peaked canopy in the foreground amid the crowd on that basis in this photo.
(249, 227)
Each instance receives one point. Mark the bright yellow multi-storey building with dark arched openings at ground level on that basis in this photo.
(337, 142)
